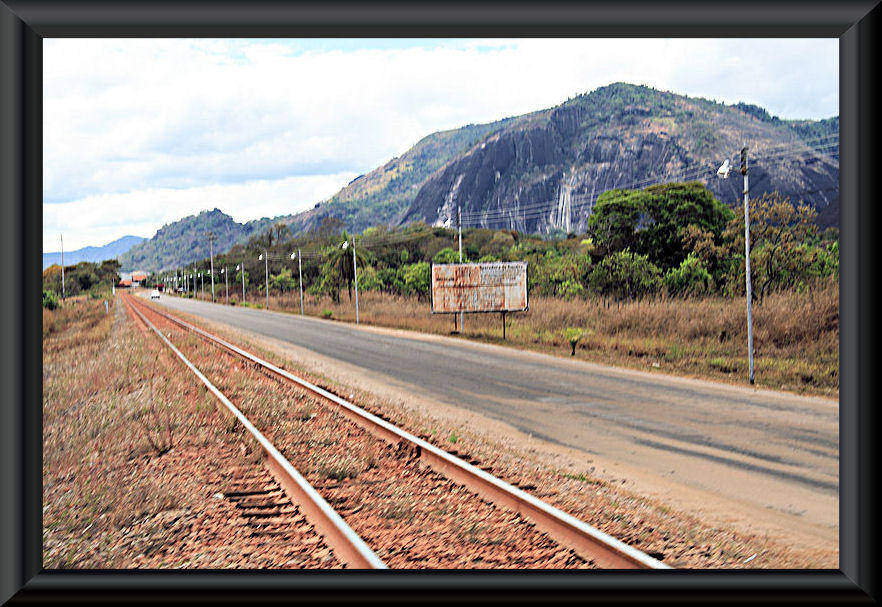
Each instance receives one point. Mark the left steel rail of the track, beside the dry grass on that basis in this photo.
(342, 539)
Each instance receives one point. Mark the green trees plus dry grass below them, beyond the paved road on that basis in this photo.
(656, 282)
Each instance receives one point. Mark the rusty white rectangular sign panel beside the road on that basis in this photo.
(479, 287)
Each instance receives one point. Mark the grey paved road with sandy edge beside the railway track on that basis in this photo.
(772, 450)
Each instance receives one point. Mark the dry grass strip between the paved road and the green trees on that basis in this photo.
(796, 335)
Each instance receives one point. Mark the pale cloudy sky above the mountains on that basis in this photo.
(139, 133)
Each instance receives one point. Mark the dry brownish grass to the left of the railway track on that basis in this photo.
(109, 407)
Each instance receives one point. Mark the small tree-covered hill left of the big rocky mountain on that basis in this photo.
(186, 240)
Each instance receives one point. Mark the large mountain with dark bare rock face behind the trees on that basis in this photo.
(541, 173)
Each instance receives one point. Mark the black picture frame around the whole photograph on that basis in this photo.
(23, 24)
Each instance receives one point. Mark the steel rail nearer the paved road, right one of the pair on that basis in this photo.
(588, 541)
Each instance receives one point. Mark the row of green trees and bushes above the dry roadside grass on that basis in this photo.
(672, 240)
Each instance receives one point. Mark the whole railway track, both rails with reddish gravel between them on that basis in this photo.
(519, 529)
